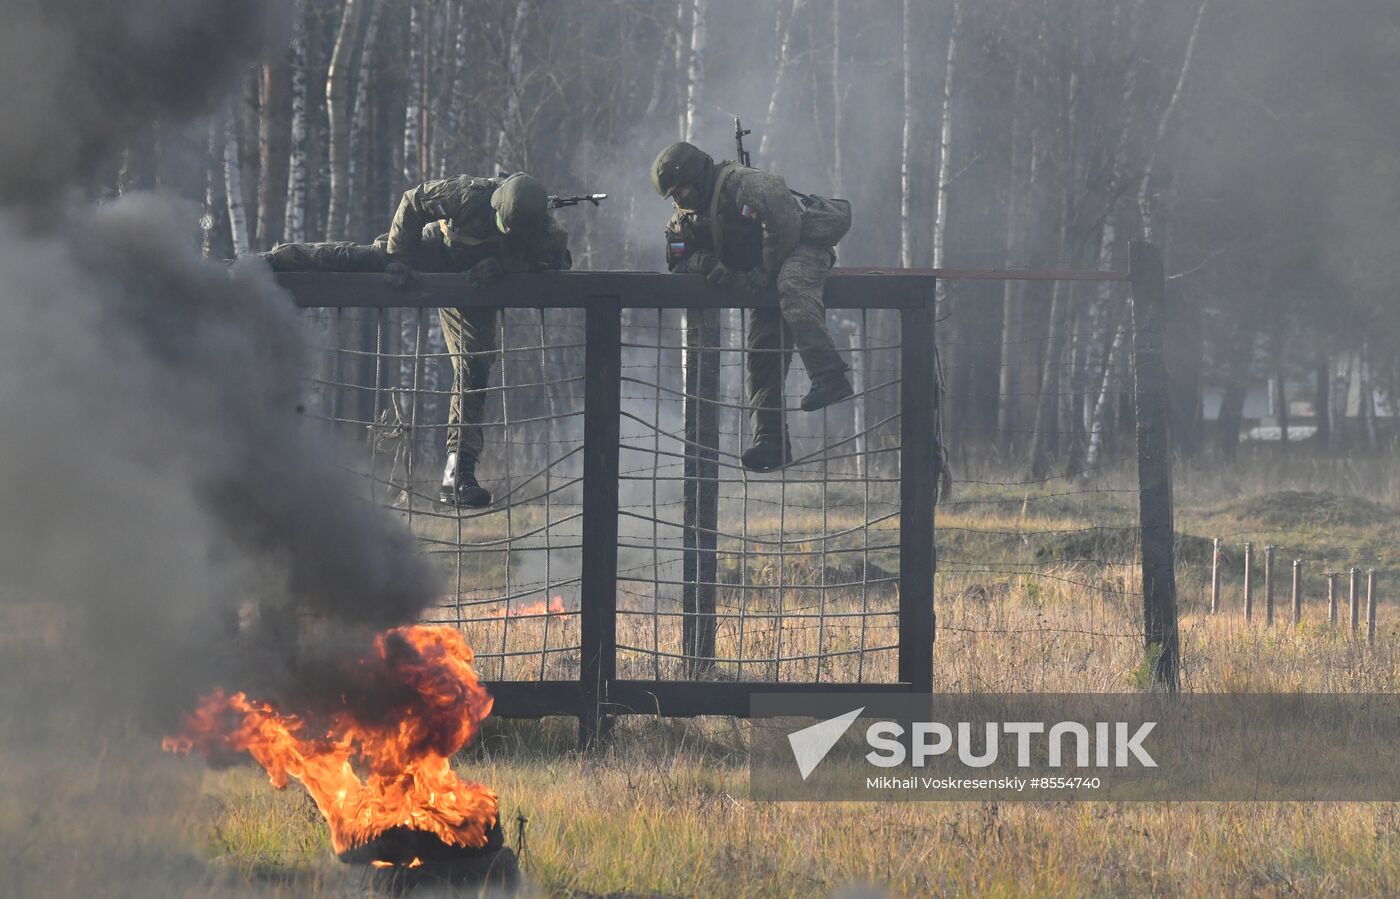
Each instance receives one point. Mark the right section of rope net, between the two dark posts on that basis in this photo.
(806, 561)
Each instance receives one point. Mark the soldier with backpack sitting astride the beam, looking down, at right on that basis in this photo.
(743, 228)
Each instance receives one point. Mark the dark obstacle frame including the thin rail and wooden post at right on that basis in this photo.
(598, 694)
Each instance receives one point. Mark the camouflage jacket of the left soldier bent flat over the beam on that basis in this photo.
(449, 226)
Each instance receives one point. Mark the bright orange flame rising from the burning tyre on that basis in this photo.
(408, 779)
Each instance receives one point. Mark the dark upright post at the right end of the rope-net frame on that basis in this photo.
(918, 491)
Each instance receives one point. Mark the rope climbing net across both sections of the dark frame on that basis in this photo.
(806, 561)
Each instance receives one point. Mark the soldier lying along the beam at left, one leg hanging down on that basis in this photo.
(488, 228)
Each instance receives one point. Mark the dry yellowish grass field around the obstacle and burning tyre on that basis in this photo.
(667, 813)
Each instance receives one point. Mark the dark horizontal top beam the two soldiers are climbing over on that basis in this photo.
(575, 289)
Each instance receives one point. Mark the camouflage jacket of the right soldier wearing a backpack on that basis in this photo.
(761, 223)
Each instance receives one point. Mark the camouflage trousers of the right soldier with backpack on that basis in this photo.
(800, 323)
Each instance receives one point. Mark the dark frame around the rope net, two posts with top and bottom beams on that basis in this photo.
(598, 694)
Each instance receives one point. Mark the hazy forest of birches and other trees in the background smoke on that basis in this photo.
(1256, 141)
